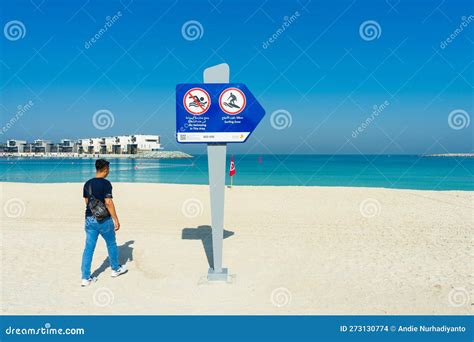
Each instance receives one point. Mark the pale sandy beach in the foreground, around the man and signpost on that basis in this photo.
(290, 250)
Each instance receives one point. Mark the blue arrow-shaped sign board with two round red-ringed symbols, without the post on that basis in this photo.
(216, 112)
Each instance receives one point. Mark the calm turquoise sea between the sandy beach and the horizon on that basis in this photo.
(388, 171)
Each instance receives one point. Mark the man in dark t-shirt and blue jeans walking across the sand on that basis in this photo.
(97, 193)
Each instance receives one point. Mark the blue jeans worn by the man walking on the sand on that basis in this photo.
(107, 231)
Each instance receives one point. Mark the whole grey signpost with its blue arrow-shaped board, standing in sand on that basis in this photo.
(216, 112)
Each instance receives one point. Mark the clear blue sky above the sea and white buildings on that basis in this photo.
(320, 70)
